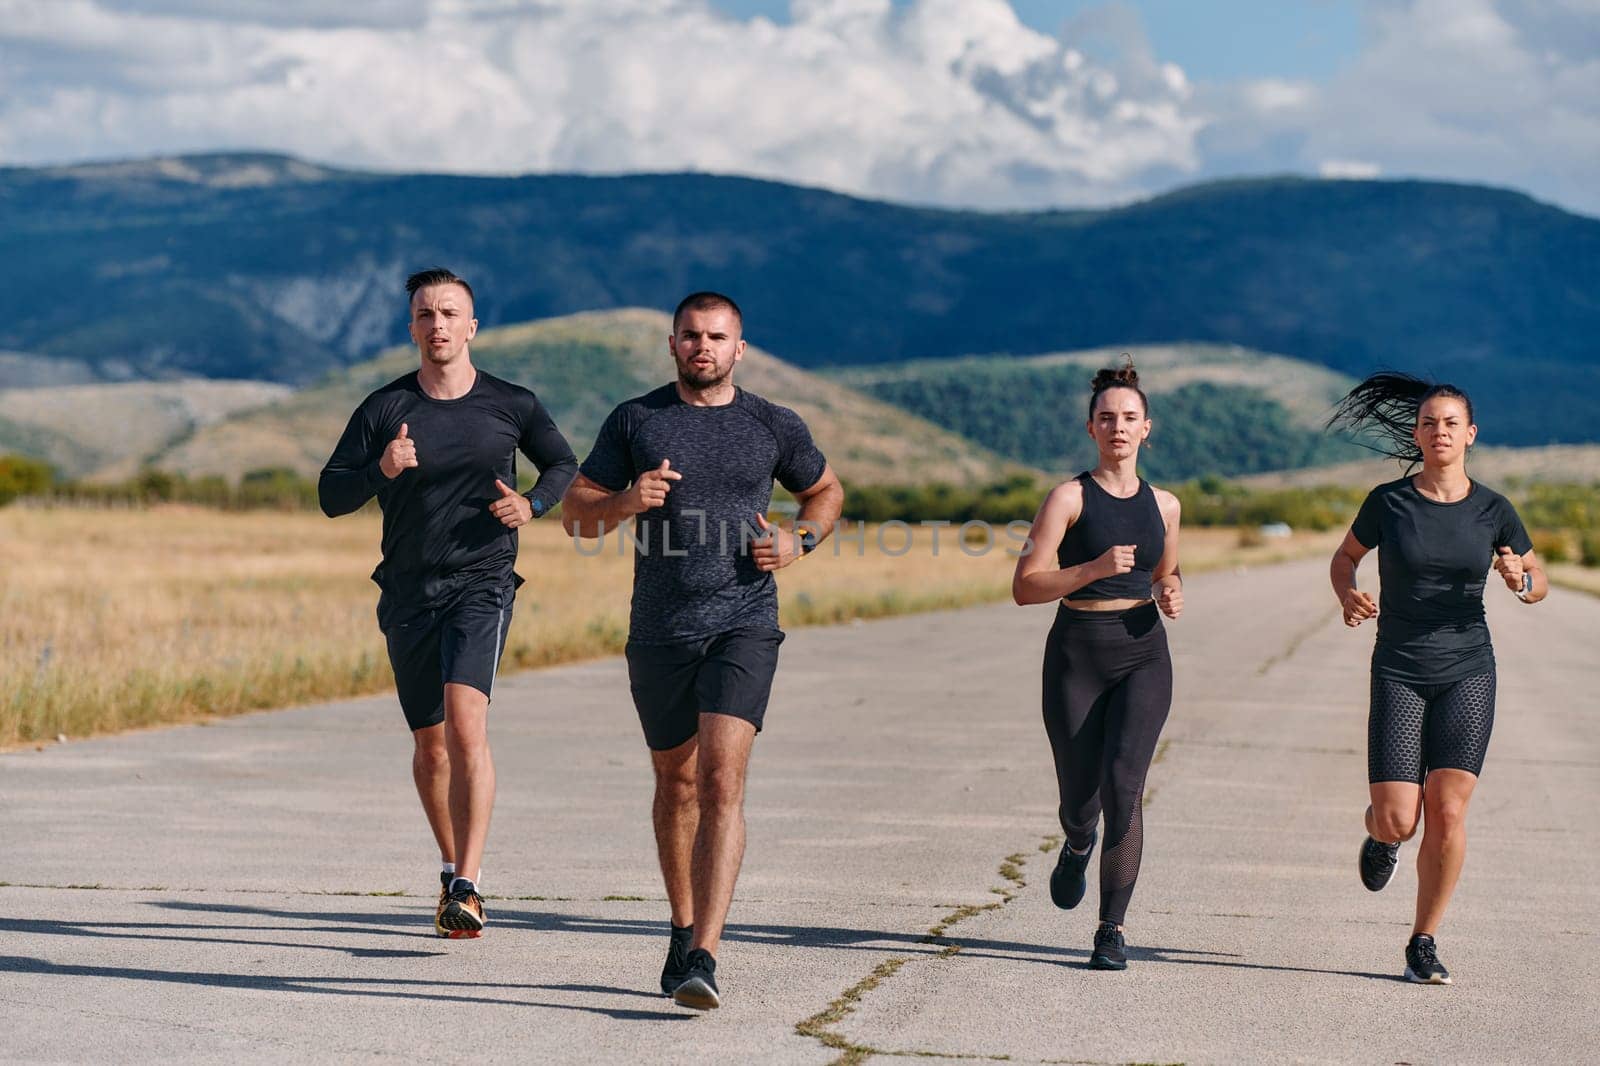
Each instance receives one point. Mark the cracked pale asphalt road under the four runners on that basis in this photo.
(262, 889)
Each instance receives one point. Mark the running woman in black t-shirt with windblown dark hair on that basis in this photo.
(1433, 689)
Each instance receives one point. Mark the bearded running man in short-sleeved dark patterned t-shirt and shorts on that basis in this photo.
(694, 465)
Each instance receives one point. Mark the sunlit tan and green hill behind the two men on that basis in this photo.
(582, 367)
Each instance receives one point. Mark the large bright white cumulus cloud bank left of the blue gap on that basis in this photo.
(950, 102)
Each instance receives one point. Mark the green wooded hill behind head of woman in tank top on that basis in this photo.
(1215, 411)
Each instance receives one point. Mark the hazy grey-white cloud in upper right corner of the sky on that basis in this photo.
(1502, 92)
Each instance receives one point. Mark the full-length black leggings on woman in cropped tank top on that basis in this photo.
(1108, 691)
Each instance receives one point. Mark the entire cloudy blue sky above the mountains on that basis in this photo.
(966, 103)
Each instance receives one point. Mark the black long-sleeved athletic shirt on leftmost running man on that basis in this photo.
(439, 534)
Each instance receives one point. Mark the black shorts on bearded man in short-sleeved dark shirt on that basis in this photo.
(726, 675)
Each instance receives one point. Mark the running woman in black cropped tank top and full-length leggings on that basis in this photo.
(1108, 673)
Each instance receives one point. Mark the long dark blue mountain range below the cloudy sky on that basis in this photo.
(274, 270)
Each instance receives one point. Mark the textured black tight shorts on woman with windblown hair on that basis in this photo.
(1417, 729)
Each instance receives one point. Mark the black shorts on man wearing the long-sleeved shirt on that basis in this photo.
(455, 643)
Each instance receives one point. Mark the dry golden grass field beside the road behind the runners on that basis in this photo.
(114, 620)
